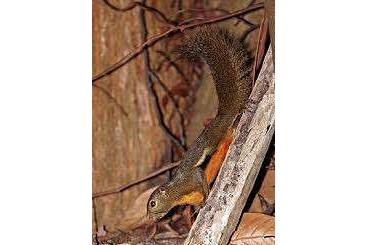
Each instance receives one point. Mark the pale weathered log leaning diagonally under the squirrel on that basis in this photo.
(218, 219)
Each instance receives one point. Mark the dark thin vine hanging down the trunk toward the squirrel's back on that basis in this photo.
(151, 90)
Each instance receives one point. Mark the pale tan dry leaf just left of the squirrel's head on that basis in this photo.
(136, 214)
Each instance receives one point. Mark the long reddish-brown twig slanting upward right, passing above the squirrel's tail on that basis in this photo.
(171, 31)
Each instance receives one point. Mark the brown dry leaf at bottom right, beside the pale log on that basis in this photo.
(254, 229)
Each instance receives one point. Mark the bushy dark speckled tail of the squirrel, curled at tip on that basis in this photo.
(228, 60)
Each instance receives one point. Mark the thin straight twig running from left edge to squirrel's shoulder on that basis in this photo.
(135, 182)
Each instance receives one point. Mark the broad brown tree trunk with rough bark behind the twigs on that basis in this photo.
(127, 140)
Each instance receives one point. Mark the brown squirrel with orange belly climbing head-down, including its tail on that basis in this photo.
(231, 68)
